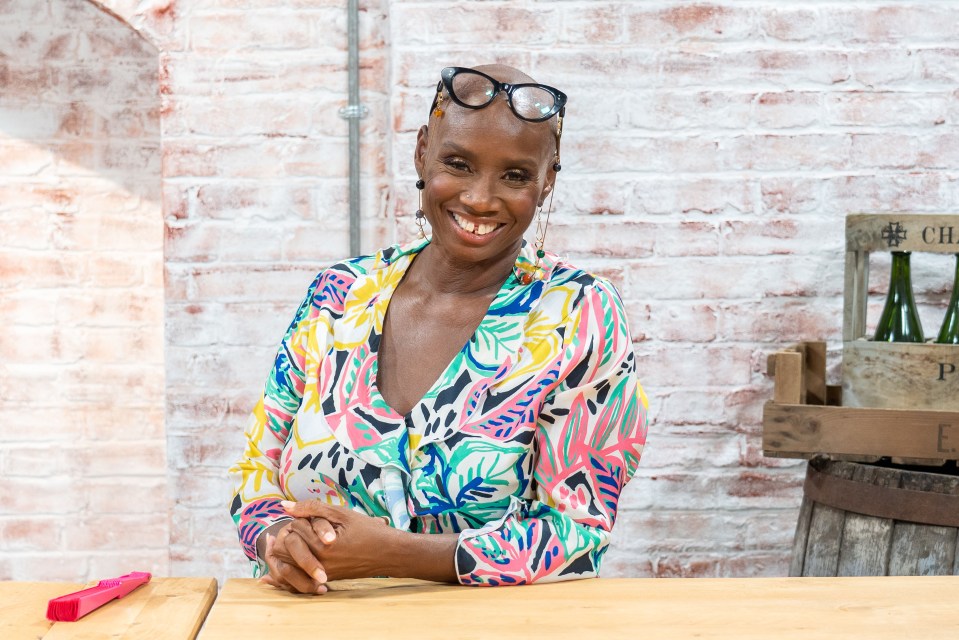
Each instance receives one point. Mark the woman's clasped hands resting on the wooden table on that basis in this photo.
(322, 543)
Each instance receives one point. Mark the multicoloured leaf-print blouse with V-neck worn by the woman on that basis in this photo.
(522, 446)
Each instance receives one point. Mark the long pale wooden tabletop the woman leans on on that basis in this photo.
(761, 608)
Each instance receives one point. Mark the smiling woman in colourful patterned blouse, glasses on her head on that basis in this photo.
(463, 408)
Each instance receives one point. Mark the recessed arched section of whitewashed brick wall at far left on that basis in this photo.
(82, 439)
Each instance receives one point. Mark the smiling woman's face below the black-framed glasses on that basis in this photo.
(486, 172)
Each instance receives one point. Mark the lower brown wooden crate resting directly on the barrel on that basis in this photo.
(806, 417)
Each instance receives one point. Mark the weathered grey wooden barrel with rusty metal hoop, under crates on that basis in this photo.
(870, 520)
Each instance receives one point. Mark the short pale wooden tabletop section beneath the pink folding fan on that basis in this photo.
(164, 608)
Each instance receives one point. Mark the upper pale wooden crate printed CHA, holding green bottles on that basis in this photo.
(895, 375)
